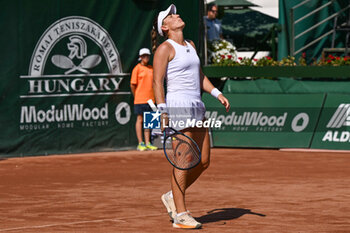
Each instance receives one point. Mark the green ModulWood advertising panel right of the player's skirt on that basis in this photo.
(265, 120)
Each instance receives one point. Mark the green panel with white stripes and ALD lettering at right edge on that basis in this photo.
(333, 131)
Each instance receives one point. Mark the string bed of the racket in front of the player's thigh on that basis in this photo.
(183, 153)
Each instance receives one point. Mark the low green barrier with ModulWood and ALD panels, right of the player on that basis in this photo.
(318, 121)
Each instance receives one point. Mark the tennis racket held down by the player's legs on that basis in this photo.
(184, 153)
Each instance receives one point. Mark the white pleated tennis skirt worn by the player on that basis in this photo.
(184, 111)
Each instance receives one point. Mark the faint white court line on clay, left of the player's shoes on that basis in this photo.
(79, 222)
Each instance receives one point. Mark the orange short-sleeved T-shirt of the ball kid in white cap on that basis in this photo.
(142, 77)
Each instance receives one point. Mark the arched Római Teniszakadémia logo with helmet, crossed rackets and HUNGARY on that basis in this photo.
(75, 56)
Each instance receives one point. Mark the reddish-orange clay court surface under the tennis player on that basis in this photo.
(243, 190)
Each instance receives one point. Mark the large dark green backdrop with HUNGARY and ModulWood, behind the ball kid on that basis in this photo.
(65, 72)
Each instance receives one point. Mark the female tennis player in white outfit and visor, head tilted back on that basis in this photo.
(177, 60)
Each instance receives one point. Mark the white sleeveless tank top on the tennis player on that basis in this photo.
(183, 72)
